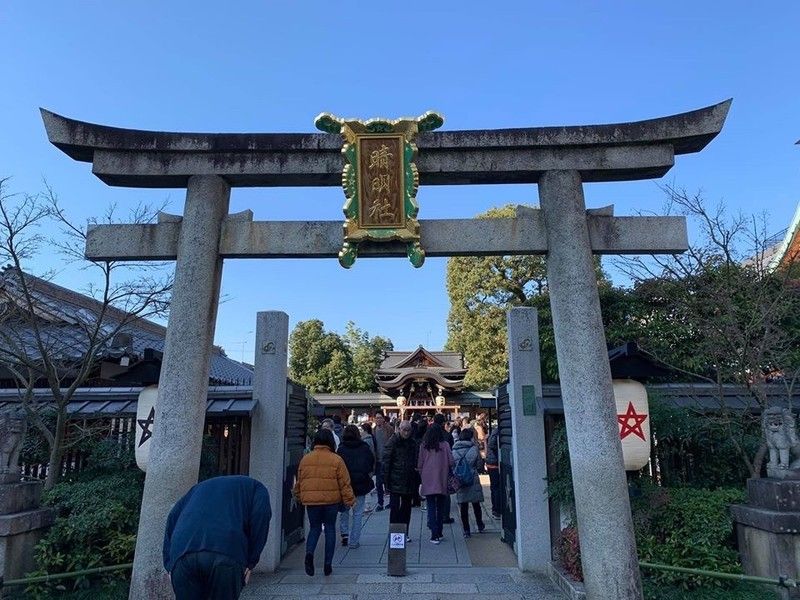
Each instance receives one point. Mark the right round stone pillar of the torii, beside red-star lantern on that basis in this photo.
(608, 548)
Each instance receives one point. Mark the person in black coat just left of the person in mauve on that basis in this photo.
(400, 474)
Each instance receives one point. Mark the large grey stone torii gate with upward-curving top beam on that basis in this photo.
(559, 159)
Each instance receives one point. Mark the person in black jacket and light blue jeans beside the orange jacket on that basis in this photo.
(360, 463)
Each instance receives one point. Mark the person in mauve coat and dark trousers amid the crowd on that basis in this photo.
(434, 465)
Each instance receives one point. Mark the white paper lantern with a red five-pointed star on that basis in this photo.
(633, 421)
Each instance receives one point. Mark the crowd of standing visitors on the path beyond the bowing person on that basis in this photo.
(418, 462)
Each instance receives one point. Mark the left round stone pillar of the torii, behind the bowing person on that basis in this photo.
(178, 430)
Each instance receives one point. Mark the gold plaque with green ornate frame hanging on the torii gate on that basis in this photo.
(380, 181)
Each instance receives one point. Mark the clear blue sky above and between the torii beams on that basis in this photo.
(273, 66)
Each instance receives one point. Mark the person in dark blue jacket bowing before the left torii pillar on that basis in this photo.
(214, 537)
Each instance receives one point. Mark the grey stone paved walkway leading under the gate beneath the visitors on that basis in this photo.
(434, 571)
